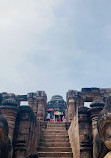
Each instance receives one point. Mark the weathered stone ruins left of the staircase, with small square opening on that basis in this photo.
(22, 121)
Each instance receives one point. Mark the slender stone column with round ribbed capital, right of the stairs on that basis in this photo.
(96, 107)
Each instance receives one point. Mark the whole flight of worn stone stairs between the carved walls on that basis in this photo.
(54, 142)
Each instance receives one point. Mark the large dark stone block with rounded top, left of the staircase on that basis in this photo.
(26, 134)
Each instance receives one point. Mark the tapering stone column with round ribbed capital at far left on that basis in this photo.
(9, 110)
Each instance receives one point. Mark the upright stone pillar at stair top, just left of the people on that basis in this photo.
(42, 102)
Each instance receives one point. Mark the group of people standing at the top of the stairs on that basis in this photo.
(51, 118)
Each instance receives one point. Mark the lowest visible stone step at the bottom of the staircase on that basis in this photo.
(55, 154)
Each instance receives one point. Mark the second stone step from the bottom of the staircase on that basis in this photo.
(55, 149)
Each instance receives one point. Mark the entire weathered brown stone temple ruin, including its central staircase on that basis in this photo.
(86, 132)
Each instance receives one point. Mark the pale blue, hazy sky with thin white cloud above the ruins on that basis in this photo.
(54, 45)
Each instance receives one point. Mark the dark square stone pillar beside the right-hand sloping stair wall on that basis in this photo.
(85, 132)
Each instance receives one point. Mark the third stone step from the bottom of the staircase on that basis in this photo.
(54, 144)
